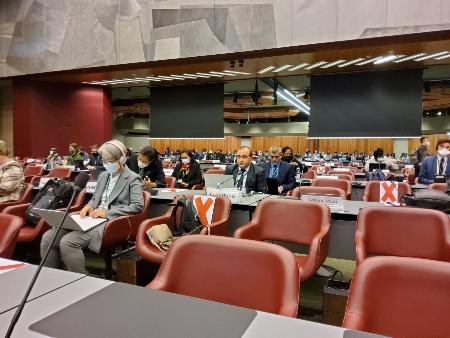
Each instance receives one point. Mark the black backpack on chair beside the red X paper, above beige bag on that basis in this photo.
(189, 221)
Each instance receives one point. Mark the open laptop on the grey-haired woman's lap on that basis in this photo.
(72, 221)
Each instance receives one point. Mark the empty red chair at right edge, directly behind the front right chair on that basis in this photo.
(402, 231)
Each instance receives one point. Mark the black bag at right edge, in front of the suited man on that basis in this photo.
(429, 199)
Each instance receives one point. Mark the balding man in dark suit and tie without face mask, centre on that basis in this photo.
(247, 176)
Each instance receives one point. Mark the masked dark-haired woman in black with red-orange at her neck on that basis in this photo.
(187, 172)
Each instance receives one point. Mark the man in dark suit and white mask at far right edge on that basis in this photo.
(436, 165)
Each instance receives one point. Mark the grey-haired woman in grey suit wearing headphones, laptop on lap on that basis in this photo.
(118, 193)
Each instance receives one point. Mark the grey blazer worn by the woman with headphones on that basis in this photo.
(125, 199)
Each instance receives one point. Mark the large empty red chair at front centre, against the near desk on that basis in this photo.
(250, 274)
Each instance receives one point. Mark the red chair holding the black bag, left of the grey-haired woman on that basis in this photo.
(31, 232)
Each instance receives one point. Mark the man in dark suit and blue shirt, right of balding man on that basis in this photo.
(280, 170)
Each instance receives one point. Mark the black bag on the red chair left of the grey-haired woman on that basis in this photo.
(55, 194)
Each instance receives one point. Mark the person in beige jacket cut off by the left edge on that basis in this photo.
(11, 176)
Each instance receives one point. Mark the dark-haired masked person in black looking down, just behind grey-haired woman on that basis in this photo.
(150, 168)
